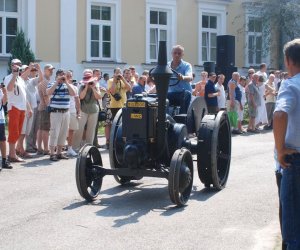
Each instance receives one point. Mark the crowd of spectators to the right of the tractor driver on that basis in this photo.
(255, 93)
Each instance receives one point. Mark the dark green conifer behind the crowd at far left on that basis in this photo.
(21, 49)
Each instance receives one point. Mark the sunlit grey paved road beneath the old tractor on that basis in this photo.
(40, 208)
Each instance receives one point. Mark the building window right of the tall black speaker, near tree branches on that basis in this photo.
(255, 42)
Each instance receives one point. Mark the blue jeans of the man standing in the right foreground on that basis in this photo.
(290, 201)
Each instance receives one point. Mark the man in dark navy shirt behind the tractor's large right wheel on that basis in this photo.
(211, 94)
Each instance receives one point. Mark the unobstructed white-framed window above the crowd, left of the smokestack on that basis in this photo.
(101, 32)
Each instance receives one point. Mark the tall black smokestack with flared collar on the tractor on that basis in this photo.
(161, 74)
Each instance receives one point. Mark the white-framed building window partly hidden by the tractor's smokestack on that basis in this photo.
(158, 31)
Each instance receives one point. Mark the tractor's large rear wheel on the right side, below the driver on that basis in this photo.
(214, 150)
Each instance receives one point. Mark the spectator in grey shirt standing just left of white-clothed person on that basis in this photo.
(253, 103)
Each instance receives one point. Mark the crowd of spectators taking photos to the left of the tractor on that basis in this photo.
(56, 118)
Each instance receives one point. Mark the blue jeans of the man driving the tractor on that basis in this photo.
(181, 99)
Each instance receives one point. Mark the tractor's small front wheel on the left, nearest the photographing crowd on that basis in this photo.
(87, 181)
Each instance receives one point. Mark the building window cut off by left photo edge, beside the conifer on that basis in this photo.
(8, 24)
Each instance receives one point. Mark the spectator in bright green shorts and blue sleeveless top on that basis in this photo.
(234, 102)
